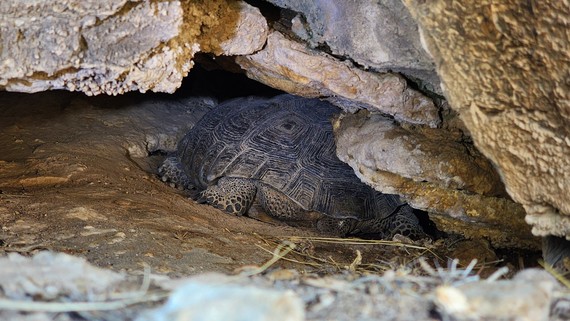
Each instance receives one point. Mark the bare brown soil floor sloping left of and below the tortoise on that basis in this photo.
(75, 177)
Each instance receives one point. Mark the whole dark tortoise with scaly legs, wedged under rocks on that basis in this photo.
(281, 151)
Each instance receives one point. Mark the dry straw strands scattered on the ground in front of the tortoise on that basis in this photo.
(408, 259)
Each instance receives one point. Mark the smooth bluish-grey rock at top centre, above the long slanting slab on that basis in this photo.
(376, 34)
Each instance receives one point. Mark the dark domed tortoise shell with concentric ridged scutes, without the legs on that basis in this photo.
(287, 143)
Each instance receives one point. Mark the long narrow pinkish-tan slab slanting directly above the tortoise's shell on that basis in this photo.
(321, 75)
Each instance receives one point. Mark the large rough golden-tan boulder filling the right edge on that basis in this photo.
(505, 70)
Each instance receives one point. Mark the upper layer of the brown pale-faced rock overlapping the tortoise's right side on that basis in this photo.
(429, 156)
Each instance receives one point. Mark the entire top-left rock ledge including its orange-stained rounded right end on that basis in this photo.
(117, 46)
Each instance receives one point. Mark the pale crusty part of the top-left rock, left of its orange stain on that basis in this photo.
(57, 48)
